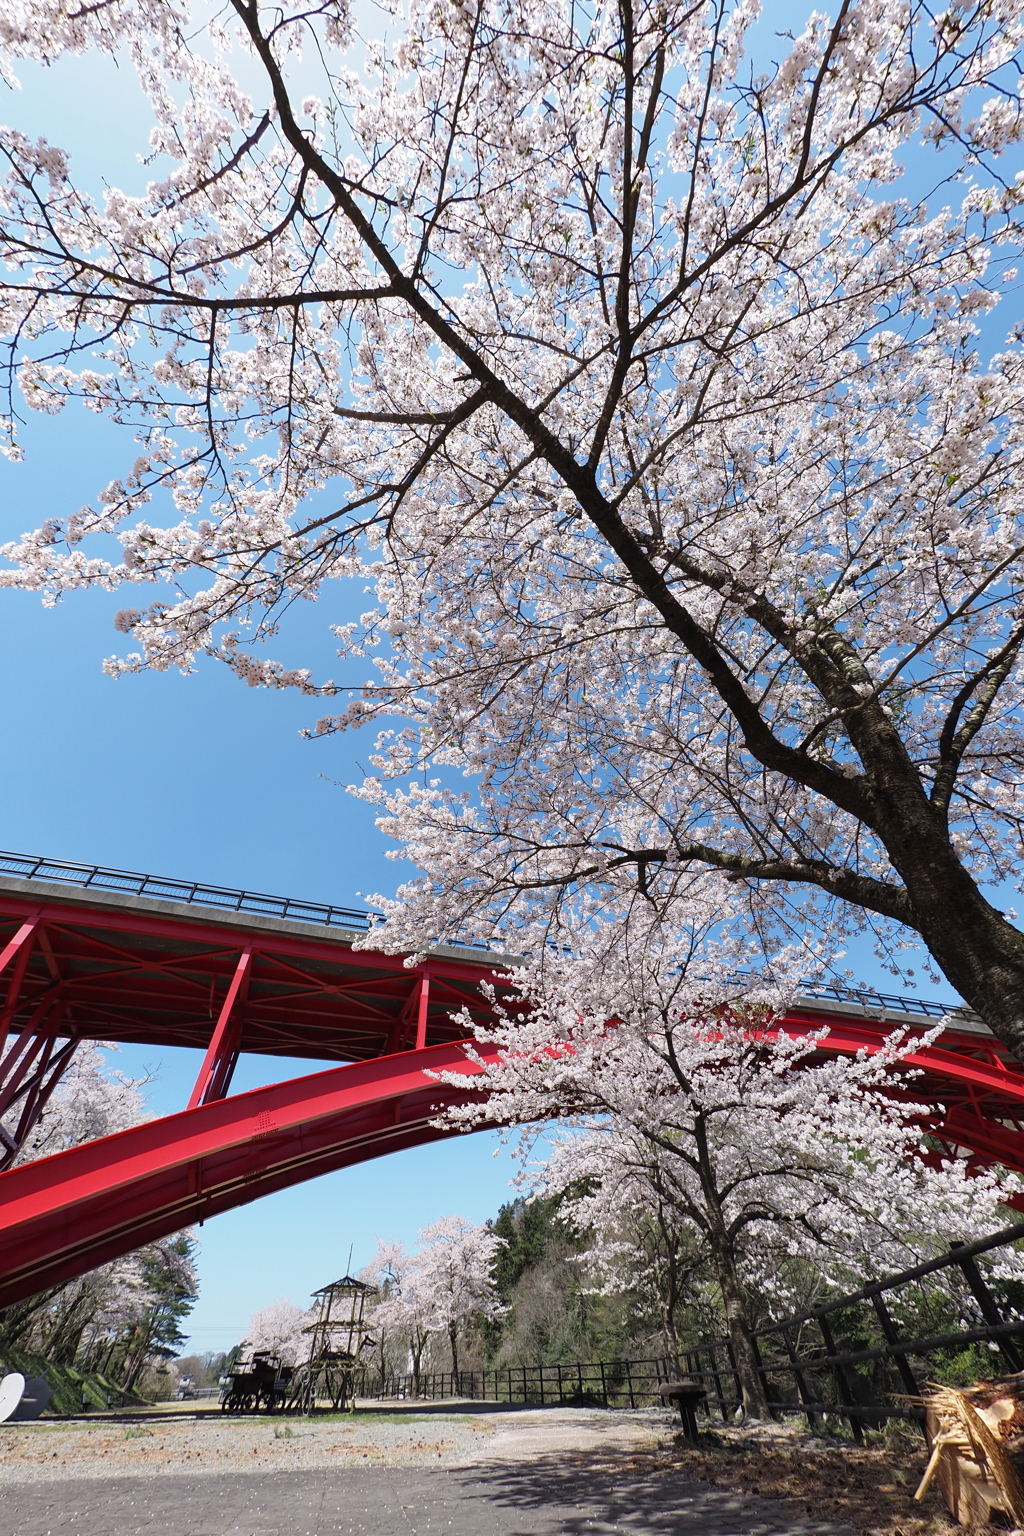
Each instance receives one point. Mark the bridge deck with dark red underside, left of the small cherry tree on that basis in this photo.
(151, 972)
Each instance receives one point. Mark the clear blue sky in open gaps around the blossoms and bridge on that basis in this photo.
(200, 778)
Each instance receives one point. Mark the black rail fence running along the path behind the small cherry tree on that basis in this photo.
(859, 1359)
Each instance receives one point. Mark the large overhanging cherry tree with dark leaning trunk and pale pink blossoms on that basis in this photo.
(633, 379)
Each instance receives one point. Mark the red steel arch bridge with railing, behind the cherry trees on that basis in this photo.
(102, 955)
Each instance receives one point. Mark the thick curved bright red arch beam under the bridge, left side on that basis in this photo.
(67, 1214)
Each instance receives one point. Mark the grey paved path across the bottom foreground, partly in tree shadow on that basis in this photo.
(546, 1498)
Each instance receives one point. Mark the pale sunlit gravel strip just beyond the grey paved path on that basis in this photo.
(208, 1442)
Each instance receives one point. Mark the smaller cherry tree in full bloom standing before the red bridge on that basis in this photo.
(748, 1147)
